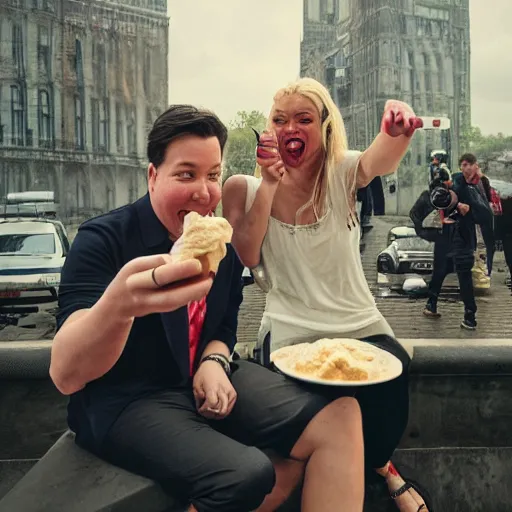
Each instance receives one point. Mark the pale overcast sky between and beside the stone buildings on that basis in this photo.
(231, 55)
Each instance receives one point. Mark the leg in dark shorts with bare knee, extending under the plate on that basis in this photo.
(274, 412)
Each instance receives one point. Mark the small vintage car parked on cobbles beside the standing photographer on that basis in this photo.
(406, 256)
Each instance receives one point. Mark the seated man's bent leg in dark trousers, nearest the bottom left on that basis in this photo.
(163, 438)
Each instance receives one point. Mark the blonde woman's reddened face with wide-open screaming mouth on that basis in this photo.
(298, 127)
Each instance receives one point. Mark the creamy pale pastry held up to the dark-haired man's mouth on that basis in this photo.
(205, 239)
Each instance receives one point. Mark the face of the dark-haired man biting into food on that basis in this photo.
(189, 179)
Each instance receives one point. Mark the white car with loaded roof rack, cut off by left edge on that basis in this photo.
(33, 249)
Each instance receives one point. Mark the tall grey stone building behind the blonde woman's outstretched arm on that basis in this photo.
(368, 51)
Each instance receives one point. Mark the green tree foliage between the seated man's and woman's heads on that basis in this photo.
(240, 150)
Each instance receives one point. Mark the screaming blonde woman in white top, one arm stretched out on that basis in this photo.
(295, 224)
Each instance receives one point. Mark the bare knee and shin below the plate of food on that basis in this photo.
(332, 447)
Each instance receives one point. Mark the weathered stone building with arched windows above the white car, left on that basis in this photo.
(80, 81)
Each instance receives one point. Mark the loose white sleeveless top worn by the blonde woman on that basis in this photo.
(313, 275)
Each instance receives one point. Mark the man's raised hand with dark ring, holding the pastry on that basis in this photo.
(155, 284)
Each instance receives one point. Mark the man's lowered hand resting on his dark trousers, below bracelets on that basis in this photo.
(214, 394)
